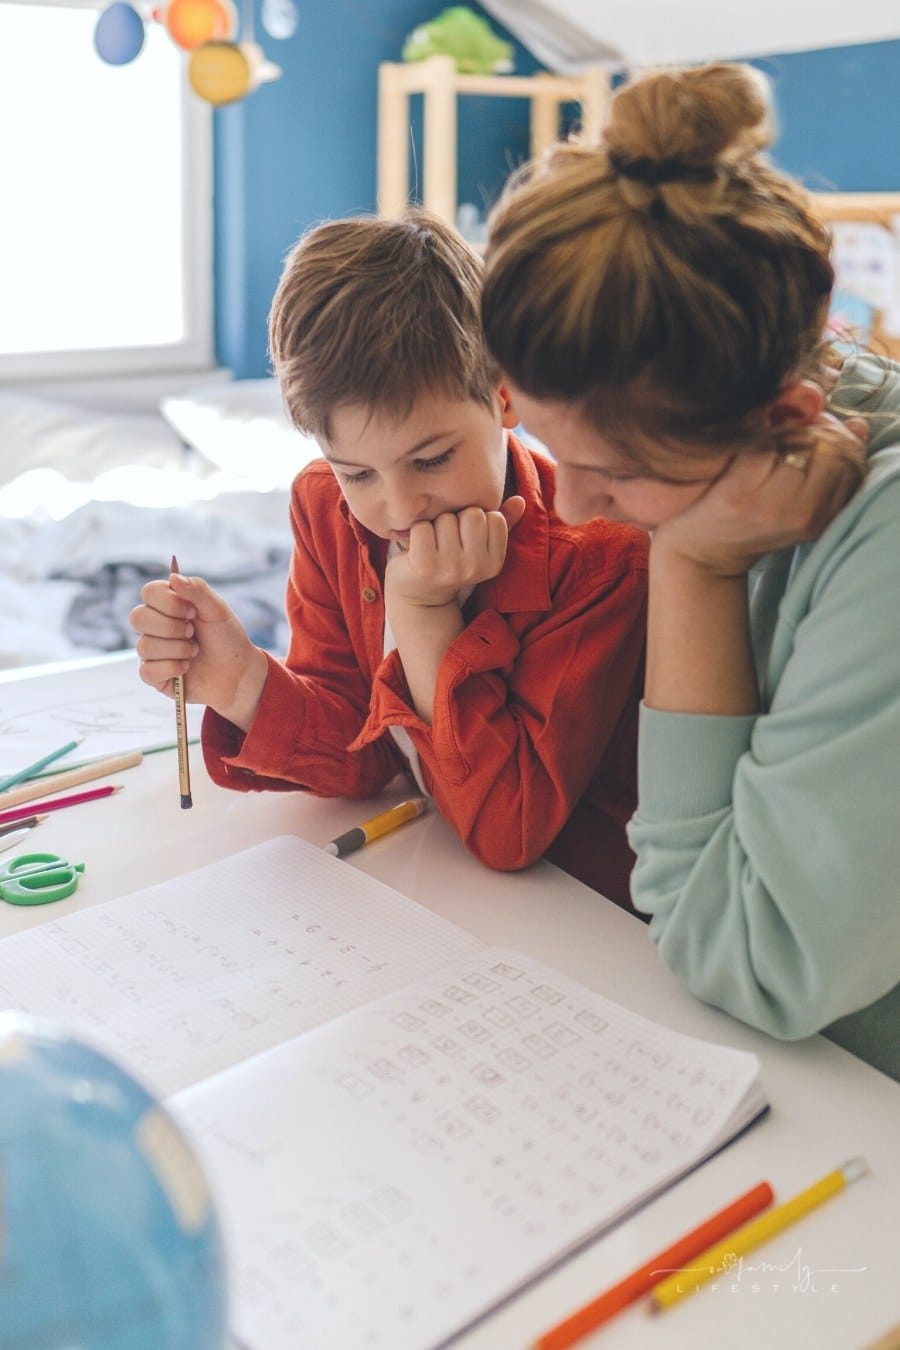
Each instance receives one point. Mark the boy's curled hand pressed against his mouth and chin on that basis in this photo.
(455, 550)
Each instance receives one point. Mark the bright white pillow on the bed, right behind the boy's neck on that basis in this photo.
(242, 427)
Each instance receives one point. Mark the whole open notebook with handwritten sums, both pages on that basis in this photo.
(401, 1125)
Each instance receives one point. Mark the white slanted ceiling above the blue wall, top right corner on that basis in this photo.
(623, 34)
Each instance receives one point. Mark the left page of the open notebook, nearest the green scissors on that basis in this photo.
(190, 977)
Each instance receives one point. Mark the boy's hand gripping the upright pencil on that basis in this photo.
(187, 630)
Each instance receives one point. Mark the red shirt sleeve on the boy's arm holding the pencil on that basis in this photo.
(318, 700)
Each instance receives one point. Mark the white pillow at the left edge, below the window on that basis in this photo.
(79, 443)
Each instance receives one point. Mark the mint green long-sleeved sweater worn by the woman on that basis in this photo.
(770, 847)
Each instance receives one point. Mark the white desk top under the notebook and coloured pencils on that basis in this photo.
(841, 1285)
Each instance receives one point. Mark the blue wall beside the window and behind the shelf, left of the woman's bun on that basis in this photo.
(304, 149)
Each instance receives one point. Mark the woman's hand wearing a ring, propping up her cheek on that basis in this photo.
(772, 500)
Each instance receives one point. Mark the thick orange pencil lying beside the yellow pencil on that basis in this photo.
(642, 1282)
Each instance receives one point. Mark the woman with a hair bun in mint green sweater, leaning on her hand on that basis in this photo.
(658, 307)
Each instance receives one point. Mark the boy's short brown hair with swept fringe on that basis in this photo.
(376, 314)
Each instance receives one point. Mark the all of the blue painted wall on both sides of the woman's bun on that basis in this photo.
(304, 149)
